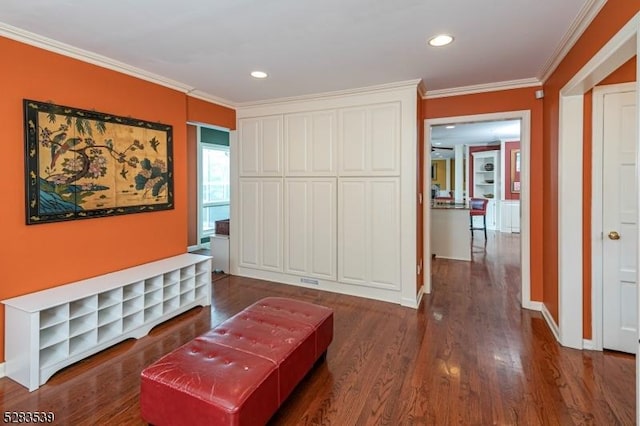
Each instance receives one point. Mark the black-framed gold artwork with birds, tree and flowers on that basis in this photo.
(84, 164)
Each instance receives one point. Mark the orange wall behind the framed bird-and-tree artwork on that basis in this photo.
(41, 256)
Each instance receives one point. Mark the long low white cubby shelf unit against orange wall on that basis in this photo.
(48, 330)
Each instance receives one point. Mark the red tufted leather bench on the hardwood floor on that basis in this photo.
(241, 371)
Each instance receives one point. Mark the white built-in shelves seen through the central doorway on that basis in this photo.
(486, 184)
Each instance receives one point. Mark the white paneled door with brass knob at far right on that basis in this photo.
(619, 212)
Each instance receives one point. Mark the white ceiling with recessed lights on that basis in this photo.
(308, 47)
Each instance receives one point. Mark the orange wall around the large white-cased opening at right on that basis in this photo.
(611, 18)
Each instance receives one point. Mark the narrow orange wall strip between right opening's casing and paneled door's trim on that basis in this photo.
(624, 74)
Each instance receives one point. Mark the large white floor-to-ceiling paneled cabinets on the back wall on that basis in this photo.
(331, 217)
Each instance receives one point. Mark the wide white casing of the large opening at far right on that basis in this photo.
(618, 50)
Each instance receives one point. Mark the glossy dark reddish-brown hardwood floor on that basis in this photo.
(468, 356)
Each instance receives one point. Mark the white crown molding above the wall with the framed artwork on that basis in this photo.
(64, 49)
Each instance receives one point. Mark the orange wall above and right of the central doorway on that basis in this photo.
(502, 101)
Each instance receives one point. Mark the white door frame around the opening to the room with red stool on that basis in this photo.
(525, 193)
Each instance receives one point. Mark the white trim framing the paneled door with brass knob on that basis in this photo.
(597, 229)
